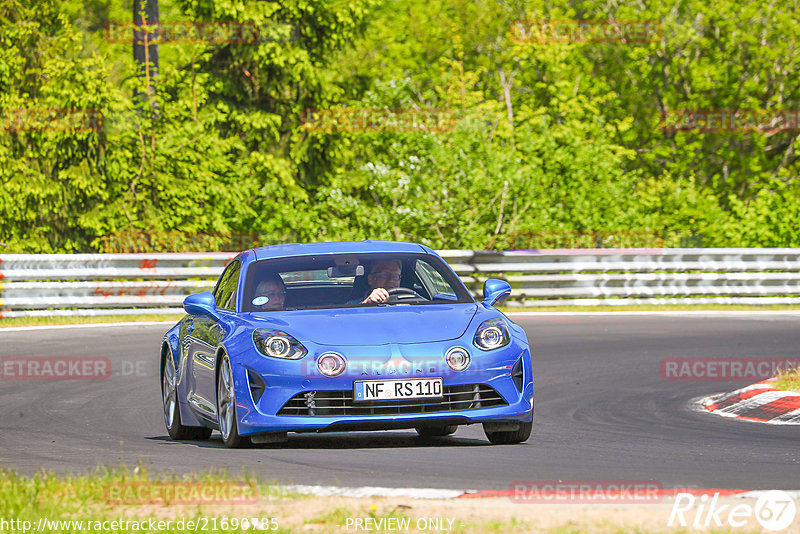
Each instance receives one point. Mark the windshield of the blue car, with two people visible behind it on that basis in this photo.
(341, 281)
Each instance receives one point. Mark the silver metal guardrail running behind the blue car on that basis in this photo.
(122, 284)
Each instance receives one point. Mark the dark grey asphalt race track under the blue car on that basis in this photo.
(603, 412)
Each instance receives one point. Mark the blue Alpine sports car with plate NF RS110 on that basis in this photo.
(331, 337)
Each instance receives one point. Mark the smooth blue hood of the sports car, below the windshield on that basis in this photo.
(372, 325)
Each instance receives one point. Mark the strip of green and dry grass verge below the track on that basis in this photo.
(85, 498)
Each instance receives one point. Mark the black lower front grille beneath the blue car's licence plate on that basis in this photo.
(337, 403)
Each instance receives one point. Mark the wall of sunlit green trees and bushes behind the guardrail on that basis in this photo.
(540, 137)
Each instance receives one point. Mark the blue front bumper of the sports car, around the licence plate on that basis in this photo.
(285, 380)
